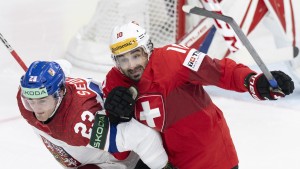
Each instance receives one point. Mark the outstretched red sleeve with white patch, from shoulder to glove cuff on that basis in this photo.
(198, 68)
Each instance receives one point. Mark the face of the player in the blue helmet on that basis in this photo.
(43, 107)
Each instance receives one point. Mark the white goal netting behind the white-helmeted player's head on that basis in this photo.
(90, 47)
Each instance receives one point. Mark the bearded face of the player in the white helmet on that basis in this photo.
(133, 63)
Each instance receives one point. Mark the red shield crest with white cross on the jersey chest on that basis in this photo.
(150, 111)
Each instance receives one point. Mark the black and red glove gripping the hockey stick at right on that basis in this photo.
(260, 89)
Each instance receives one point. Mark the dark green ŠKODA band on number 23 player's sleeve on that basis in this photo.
(100, 131)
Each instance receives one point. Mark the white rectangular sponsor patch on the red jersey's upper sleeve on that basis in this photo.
(193, 59)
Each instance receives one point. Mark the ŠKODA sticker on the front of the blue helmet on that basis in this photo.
(34, 93)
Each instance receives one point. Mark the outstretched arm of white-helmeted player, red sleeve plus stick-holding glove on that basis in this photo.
(199, 68)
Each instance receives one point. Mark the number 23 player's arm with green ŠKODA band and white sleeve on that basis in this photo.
(129, 136)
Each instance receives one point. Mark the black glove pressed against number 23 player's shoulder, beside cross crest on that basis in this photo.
(119, 104)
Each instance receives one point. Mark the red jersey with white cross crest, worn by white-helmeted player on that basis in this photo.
(172, 100)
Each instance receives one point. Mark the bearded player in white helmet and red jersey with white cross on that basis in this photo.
(172, 100)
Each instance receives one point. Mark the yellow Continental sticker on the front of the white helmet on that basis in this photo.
(124, 46)
